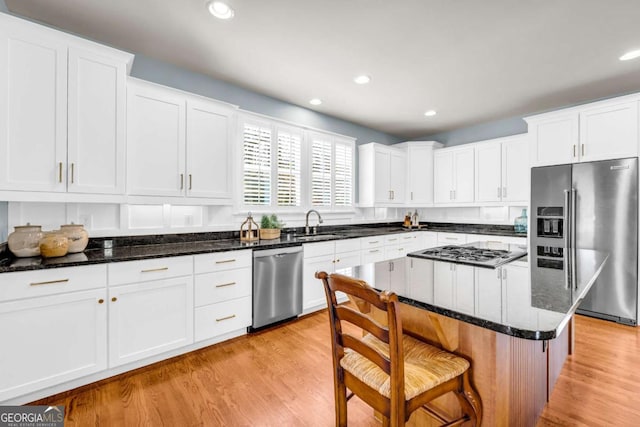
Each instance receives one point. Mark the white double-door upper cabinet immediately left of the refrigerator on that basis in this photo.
(502, 170)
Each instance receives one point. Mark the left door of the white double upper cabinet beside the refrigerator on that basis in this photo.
(488, 168)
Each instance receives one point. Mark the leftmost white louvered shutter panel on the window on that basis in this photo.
(256, 165)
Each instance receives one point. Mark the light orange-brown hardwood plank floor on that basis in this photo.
(283, 377)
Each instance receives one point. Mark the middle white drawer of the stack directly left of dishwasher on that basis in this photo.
(222, 286)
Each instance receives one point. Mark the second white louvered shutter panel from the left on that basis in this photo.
(289, 161)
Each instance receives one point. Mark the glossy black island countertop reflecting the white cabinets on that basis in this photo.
(518, 299)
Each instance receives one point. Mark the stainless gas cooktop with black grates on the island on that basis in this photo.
(472, 255)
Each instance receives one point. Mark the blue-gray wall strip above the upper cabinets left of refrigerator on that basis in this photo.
(480, 132)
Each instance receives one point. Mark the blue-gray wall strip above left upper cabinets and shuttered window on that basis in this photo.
(170, 75)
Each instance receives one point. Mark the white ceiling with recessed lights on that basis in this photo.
(473, 61)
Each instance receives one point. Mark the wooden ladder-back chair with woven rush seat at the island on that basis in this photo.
(392, 372)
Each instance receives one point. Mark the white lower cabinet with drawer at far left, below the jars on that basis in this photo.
(53, 328)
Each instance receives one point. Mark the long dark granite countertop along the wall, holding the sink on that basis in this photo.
(156, 246)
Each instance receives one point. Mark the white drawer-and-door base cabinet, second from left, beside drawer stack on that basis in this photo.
(153, 316)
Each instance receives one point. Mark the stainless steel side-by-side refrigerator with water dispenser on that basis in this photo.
(590, 205)
